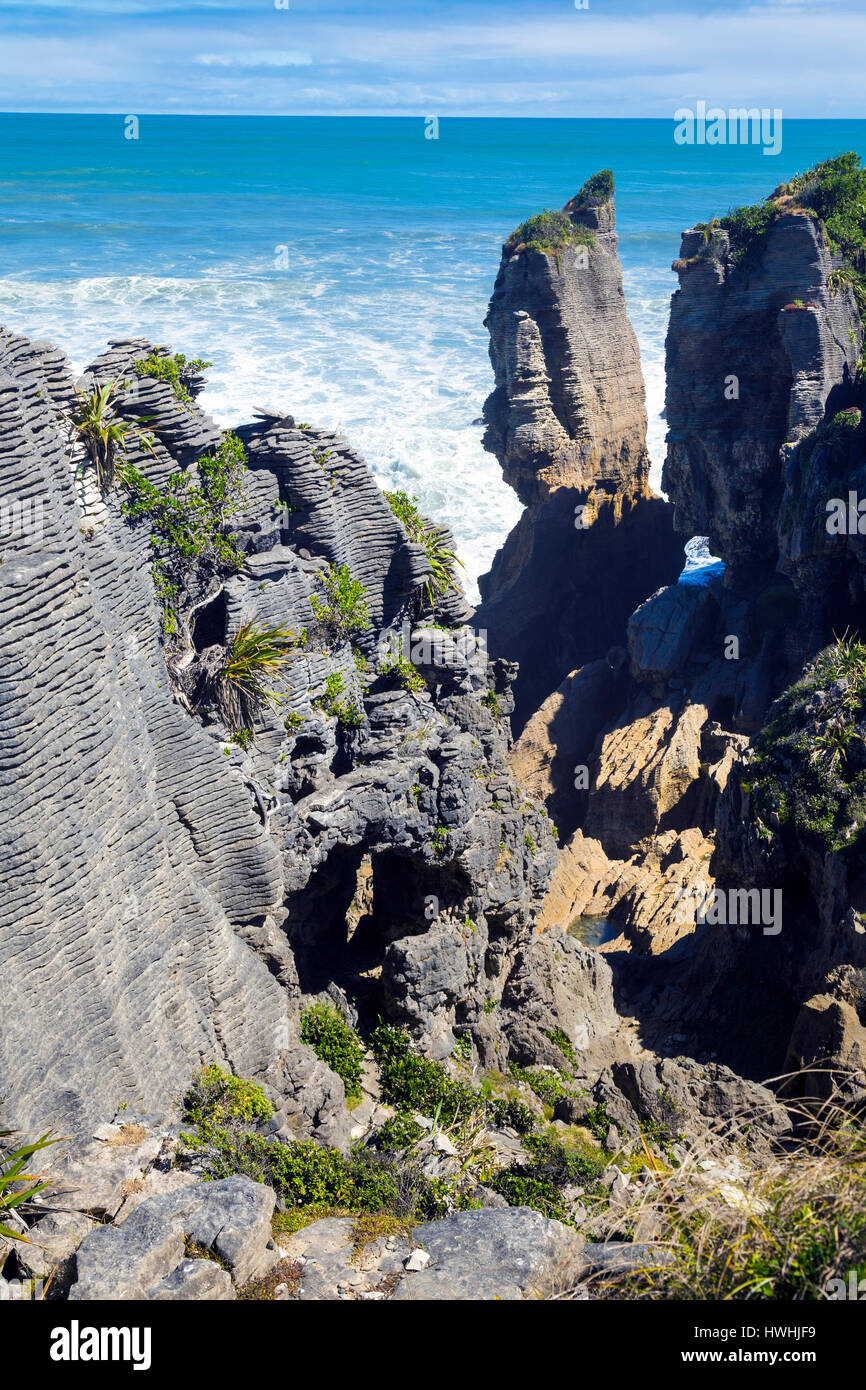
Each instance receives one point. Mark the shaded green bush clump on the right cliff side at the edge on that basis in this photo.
(810, 761)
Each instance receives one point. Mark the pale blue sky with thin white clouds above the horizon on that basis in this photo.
(420, 58)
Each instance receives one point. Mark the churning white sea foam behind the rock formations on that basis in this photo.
(395, 363)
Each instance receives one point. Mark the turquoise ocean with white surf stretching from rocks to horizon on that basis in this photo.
(341, 268)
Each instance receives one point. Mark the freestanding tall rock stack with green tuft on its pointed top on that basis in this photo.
(568, 423)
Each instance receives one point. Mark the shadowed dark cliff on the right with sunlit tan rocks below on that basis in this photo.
(643, 755)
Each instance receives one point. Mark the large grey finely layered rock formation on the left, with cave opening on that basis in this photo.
(169, 893)
